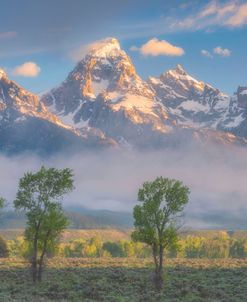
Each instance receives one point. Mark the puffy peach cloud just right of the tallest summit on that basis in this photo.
(155, 47)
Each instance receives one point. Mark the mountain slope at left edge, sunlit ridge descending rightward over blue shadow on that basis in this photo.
(27, 126)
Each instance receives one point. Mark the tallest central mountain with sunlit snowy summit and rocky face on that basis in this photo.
(105, 92)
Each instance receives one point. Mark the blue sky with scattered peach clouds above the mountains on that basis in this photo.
(209, 38)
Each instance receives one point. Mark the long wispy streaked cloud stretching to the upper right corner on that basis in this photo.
(206, 17)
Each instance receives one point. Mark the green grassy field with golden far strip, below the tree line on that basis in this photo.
(121, 279)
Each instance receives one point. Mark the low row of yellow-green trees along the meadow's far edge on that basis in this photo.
(190, 246)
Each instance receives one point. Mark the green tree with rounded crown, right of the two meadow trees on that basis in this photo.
(155, 220)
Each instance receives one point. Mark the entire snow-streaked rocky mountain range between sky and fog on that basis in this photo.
(104, 103)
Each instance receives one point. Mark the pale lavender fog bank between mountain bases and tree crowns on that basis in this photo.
(110, 180)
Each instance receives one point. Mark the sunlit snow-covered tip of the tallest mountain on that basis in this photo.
(105, 48)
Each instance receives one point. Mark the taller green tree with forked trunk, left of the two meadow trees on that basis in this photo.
(40, 195)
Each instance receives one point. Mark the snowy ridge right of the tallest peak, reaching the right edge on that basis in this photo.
(195, 104)
